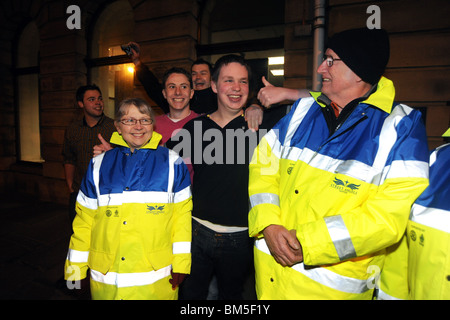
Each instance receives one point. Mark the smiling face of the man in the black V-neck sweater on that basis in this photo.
(232, 86)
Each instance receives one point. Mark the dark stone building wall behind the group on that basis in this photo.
(167, 31)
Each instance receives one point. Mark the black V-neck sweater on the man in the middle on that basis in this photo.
(220, 159)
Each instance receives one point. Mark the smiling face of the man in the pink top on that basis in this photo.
(178, 91)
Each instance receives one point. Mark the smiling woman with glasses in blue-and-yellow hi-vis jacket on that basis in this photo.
(133, 223)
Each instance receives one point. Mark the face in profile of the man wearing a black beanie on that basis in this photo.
(338, 81)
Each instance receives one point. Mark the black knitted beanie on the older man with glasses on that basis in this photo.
(365, 51)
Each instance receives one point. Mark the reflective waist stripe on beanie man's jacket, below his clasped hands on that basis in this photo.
(324, 276)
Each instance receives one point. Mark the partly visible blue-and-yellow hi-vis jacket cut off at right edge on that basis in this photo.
(419, 268)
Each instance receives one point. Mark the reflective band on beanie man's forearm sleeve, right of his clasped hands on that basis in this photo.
(340, 237)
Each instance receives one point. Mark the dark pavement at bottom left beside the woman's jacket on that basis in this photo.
(34, 239)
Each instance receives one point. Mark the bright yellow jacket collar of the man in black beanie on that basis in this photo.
(382, 98)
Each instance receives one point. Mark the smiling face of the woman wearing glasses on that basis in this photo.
(136, 135)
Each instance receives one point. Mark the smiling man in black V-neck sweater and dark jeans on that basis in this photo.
(219, 146)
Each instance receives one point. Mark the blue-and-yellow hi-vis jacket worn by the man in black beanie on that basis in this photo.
(347, 195)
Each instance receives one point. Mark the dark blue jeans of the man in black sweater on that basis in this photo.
(228, 256)
